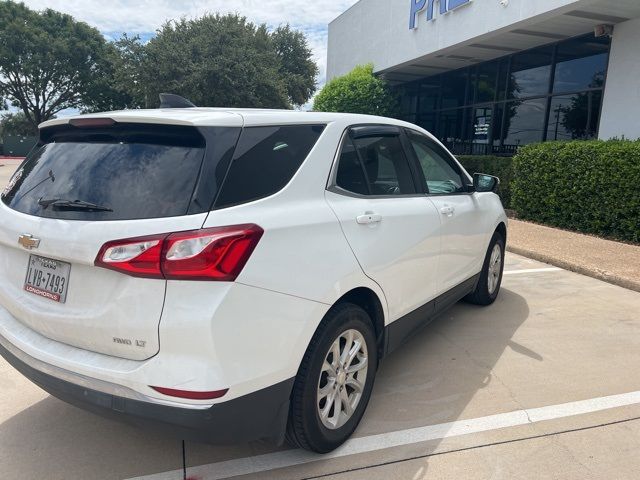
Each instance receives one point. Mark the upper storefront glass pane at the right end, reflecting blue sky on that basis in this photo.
(581, 65)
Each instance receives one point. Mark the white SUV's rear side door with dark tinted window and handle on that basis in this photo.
(393, 232)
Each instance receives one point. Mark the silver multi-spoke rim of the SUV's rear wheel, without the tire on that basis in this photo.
(342, 379)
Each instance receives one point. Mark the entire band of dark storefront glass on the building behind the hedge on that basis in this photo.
(496, 106)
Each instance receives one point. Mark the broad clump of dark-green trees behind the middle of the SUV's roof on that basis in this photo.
(225, 61)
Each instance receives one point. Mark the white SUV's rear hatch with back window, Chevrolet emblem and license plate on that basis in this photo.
(86, 185)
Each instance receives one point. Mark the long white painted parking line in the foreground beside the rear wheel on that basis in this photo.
(289, 458)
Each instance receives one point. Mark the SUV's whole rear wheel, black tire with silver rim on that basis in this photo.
(322, 376)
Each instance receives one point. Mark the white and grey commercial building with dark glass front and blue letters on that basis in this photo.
(486, 76)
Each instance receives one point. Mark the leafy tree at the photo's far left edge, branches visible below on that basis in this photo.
(48, 60)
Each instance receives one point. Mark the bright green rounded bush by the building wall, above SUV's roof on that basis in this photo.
(359, 91)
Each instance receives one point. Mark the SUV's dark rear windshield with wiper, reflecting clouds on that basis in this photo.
(135, 171)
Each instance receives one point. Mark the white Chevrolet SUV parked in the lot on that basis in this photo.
(235, 274)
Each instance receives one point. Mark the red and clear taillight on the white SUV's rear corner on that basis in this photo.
(218, 253)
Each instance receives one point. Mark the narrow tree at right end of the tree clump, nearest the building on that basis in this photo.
(296, 66)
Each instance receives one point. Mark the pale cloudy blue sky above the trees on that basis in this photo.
(143, 17)
